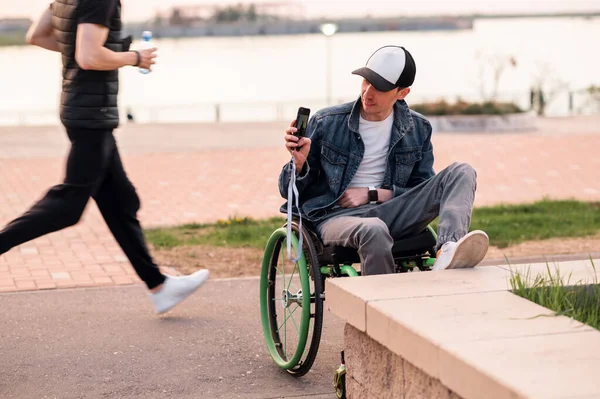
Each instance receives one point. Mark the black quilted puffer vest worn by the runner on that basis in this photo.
(89, 98)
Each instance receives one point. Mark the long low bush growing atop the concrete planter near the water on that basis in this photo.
(460, 107)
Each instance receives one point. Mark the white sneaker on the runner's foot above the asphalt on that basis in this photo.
(176, 289)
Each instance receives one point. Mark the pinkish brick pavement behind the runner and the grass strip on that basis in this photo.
(202, 173)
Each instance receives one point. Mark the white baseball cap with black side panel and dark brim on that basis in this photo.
(388, 68)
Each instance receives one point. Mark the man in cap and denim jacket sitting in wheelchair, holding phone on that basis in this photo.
(365, 174)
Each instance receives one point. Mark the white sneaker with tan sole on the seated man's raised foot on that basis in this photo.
(467, 252)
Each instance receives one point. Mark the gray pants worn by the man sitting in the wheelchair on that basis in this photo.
(372, 229)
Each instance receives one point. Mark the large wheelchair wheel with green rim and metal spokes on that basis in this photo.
(291, 319)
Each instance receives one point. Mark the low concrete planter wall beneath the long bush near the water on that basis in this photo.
(523, 121)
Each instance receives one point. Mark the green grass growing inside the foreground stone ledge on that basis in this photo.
(578, 301)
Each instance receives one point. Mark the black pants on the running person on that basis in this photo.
(94, 169)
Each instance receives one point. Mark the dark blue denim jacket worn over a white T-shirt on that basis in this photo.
(337, 150)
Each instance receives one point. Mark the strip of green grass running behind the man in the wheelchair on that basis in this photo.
(505, 225)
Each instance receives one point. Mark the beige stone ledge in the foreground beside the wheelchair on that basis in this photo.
(464, 329)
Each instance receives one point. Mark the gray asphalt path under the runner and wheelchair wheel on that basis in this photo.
(106, 343)
